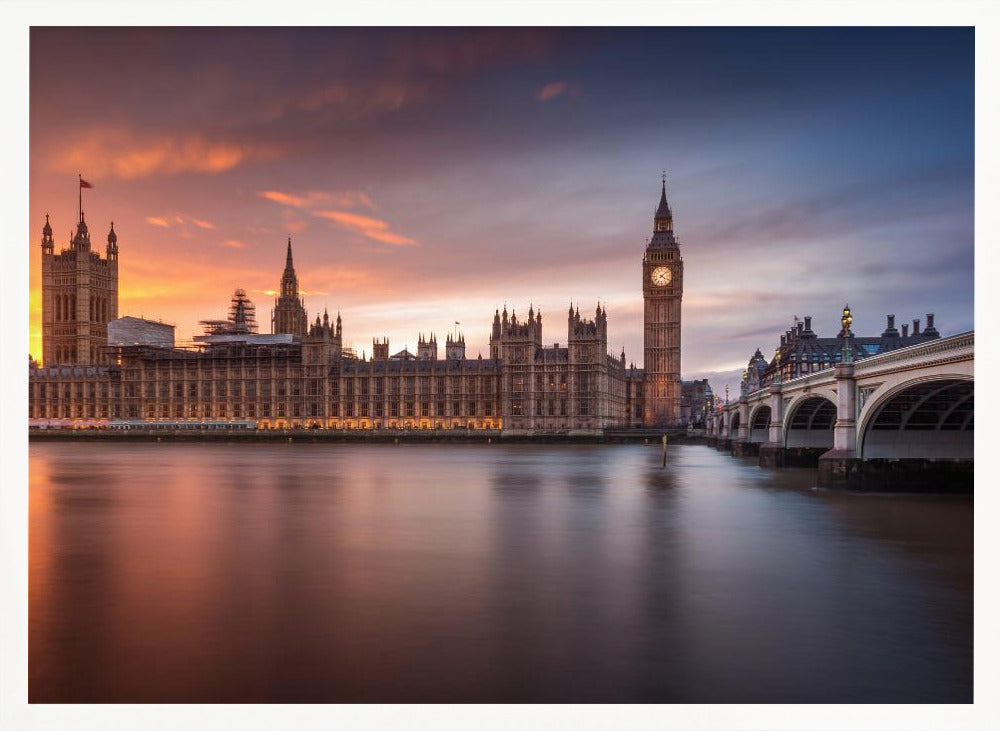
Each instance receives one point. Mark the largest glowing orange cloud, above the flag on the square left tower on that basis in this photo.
(116, 153)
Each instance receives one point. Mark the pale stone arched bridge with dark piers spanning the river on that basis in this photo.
(897, 420)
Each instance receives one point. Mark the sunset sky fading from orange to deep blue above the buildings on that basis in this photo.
(428, 176)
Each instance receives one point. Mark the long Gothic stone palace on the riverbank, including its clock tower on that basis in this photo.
(99, 369)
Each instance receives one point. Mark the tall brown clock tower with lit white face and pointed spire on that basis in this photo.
(662, 288)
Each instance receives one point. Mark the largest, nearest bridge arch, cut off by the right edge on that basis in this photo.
(929, 418)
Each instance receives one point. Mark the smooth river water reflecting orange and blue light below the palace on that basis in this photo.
(475, 573)
